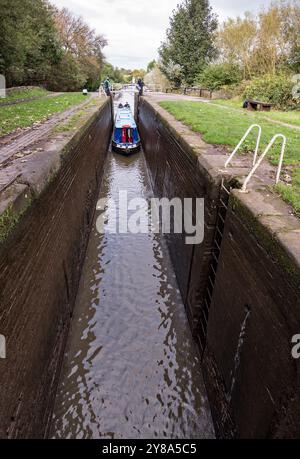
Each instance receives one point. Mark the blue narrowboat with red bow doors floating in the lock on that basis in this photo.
(126, 139)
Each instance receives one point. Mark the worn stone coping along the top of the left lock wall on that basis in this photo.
(29, 172)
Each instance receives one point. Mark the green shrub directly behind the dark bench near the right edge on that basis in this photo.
(276, 89)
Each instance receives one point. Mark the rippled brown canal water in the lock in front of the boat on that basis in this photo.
(131, 368)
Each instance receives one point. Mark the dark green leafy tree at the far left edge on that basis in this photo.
(28, 41)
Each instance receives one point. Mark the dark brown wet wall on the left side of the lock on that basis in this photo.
(40, 267)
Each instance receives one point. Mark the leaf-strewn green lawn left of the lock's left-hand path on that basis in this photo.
(28, 113)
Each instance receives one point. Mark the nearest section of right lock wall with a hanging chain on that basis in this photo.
(255, 311)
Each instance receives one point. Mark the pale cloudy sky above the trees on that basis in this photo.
(135, 29)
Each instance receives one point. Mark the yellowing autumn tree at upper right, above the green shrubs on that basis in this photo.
(263, 44)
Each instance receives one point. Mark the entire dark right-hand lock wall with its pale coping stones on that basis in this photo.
(241, 286)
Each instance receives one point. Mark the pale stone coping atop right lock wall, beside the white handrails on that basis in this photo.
(267, 216)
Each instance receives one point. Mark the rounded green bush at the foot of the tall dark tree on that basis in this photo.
(215, 76)
